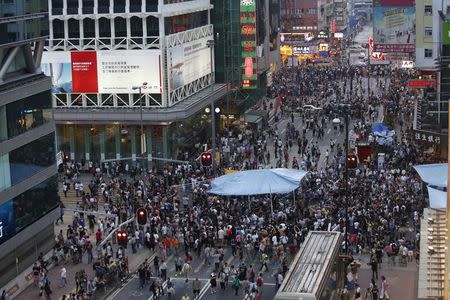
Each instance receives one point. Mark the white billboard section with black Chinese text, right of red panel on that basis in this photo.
(119, 71)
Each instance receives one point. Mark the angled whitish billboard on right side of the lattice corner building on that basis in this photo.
(188, 62)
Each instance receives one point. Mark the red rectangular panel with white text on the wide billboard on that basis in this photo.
(84, 72)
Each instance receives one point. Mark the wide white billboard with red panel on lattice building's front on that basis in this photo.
(105, 71)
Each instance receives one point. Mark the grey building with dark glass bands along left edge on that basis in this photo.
(28, 180)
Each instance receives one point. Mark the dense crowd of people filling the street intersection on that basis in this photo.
(376, 204)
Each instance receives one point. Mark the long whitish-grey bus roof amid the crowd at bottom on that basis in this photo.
(311, 274)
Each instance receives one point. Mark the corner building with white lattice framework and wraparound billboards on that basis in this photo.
(100, 52)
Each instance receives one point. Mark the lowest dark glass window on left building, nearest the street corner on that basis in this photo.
(35, 203)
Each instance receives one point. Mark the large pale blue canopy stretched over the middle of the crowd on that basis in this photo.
(257, 182)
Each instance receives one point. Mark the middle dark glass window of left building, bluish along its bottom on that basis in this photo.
(32, 158)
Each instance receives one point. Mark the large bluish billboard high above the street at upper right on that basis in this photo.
(394, 26)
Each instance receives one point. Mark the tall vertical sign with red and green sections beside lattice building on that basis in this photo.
(248, 43)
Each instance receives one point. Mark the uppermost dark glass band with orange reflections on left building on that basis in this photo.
(25, 114)
